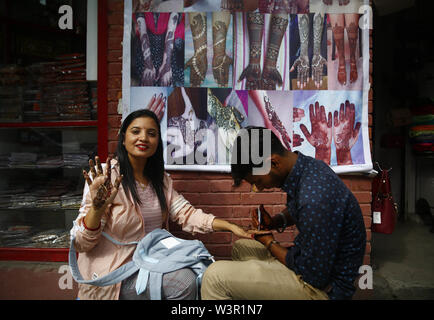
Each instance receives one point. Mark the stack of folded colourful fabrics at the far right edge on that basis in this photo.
(422, 129)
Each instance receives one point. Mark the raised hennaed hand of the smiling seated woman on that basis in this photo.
(101, 189)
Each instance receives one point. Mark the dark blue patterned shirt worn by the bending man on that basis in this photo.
(330, 246)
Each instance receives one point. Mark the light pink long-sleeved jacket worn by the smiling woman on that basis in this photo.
(124, 221)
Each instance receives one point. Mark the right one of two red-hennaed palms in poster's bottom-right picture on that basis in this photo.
(344, 133)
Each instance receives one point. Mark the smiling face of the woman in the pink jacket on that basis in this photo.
(141, 138)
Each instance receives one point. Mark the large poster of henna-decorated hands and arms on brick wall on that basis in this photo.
(210, 68)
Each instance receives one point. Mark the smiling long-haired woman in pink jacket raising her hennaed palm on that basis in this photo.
(128, 201)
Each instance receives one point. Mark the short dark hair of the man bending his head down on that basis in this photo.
(240, 170)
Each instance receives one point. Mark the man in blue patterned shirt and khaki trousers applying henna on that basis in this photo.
(327, 252)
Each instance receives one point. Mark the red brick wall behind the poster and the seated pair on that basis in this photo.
(213, 192)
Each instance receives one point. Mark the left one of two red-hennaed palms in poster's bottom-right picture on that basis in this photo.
(321, 134)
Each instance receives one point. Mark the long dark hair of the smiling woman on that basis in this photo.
(154, 168)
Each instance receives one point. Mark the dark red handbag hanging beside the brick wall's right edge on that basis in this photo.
(384, 209)
